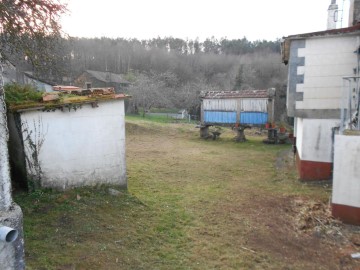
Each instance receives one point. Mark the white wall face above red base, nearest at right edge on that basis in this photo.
(346, 180)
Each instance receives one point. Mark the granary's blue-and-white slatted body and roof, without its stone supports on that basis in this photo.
(233, 108)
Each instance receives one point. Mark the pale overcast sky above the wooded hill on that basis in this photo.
(233, 19)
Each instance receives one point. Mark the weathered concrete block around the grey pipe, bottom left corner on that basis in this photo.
(12, 254)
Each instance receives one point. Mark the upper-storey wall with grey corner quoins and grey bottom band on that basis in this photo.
(316, 68)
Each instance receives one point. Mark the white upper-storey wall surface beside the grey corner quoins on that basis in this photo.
(327, 60)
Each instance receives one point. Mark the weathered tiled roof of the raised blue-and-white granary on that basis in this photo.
(235, 94)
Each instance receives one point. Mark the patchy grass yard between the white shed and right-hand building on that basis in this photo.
(190, 204)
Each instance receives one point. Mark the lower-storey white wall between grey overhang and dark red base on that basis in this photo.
(314, 139)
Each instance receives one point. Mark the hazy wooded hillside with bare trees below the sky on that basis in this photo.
(166, 72)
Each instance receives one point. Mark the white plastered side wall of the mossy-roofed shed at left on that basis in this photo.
(82, 147)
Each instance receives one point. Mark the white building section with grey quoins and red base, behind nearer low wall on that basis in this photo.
(317, 64)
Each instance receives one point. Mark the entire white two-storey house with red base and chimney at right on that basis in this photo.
(323, 96)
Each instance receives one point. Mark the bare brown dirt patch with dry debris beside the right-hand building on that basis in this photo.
(289, 233)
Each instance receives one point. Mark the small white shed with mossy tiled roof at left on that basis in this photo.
(65, 143)
